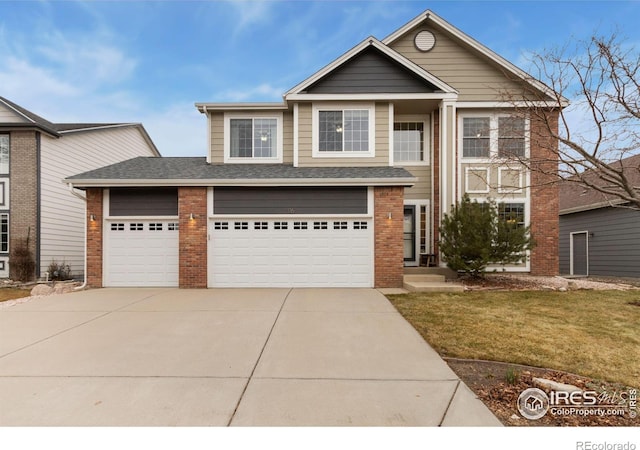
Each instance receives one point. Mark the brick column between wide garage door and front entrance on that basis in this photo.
(389, 248)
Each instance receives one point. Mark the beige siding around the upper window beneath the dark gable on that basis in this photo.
(306, 159)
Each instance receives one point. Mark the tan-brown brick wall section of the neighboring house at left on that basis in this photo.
(23, 172)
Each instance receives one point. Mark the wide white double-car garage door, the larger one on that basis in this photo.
(291, 252)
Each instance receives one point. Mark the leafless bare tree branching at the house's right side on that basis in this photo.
(594, 139)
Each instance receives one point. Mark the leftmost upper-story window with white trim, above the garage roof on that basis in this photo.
(252, 139)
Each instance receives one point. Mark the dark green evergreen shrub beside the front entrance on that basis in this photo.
(473, 236)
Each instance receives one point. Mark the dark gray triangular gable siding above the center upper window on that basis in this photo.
(370, 72)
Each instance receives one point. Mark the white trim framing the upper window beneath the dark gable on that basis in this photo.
(315, 129)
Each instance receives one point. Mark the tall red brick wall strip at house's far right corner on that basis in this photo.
(544, 198)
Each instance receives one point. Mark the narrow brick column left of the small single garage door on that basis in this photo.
(94, 237)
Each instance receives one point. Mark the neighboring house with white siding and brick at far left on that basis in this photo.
(35, 157)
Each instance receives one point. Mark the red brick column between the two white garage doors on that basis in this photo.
(193, 237)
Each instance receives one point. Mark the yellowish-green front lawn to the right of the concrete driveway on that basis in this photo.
(591, 333)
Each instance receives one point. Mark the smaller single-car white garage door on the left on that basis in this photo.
(141, 253)
